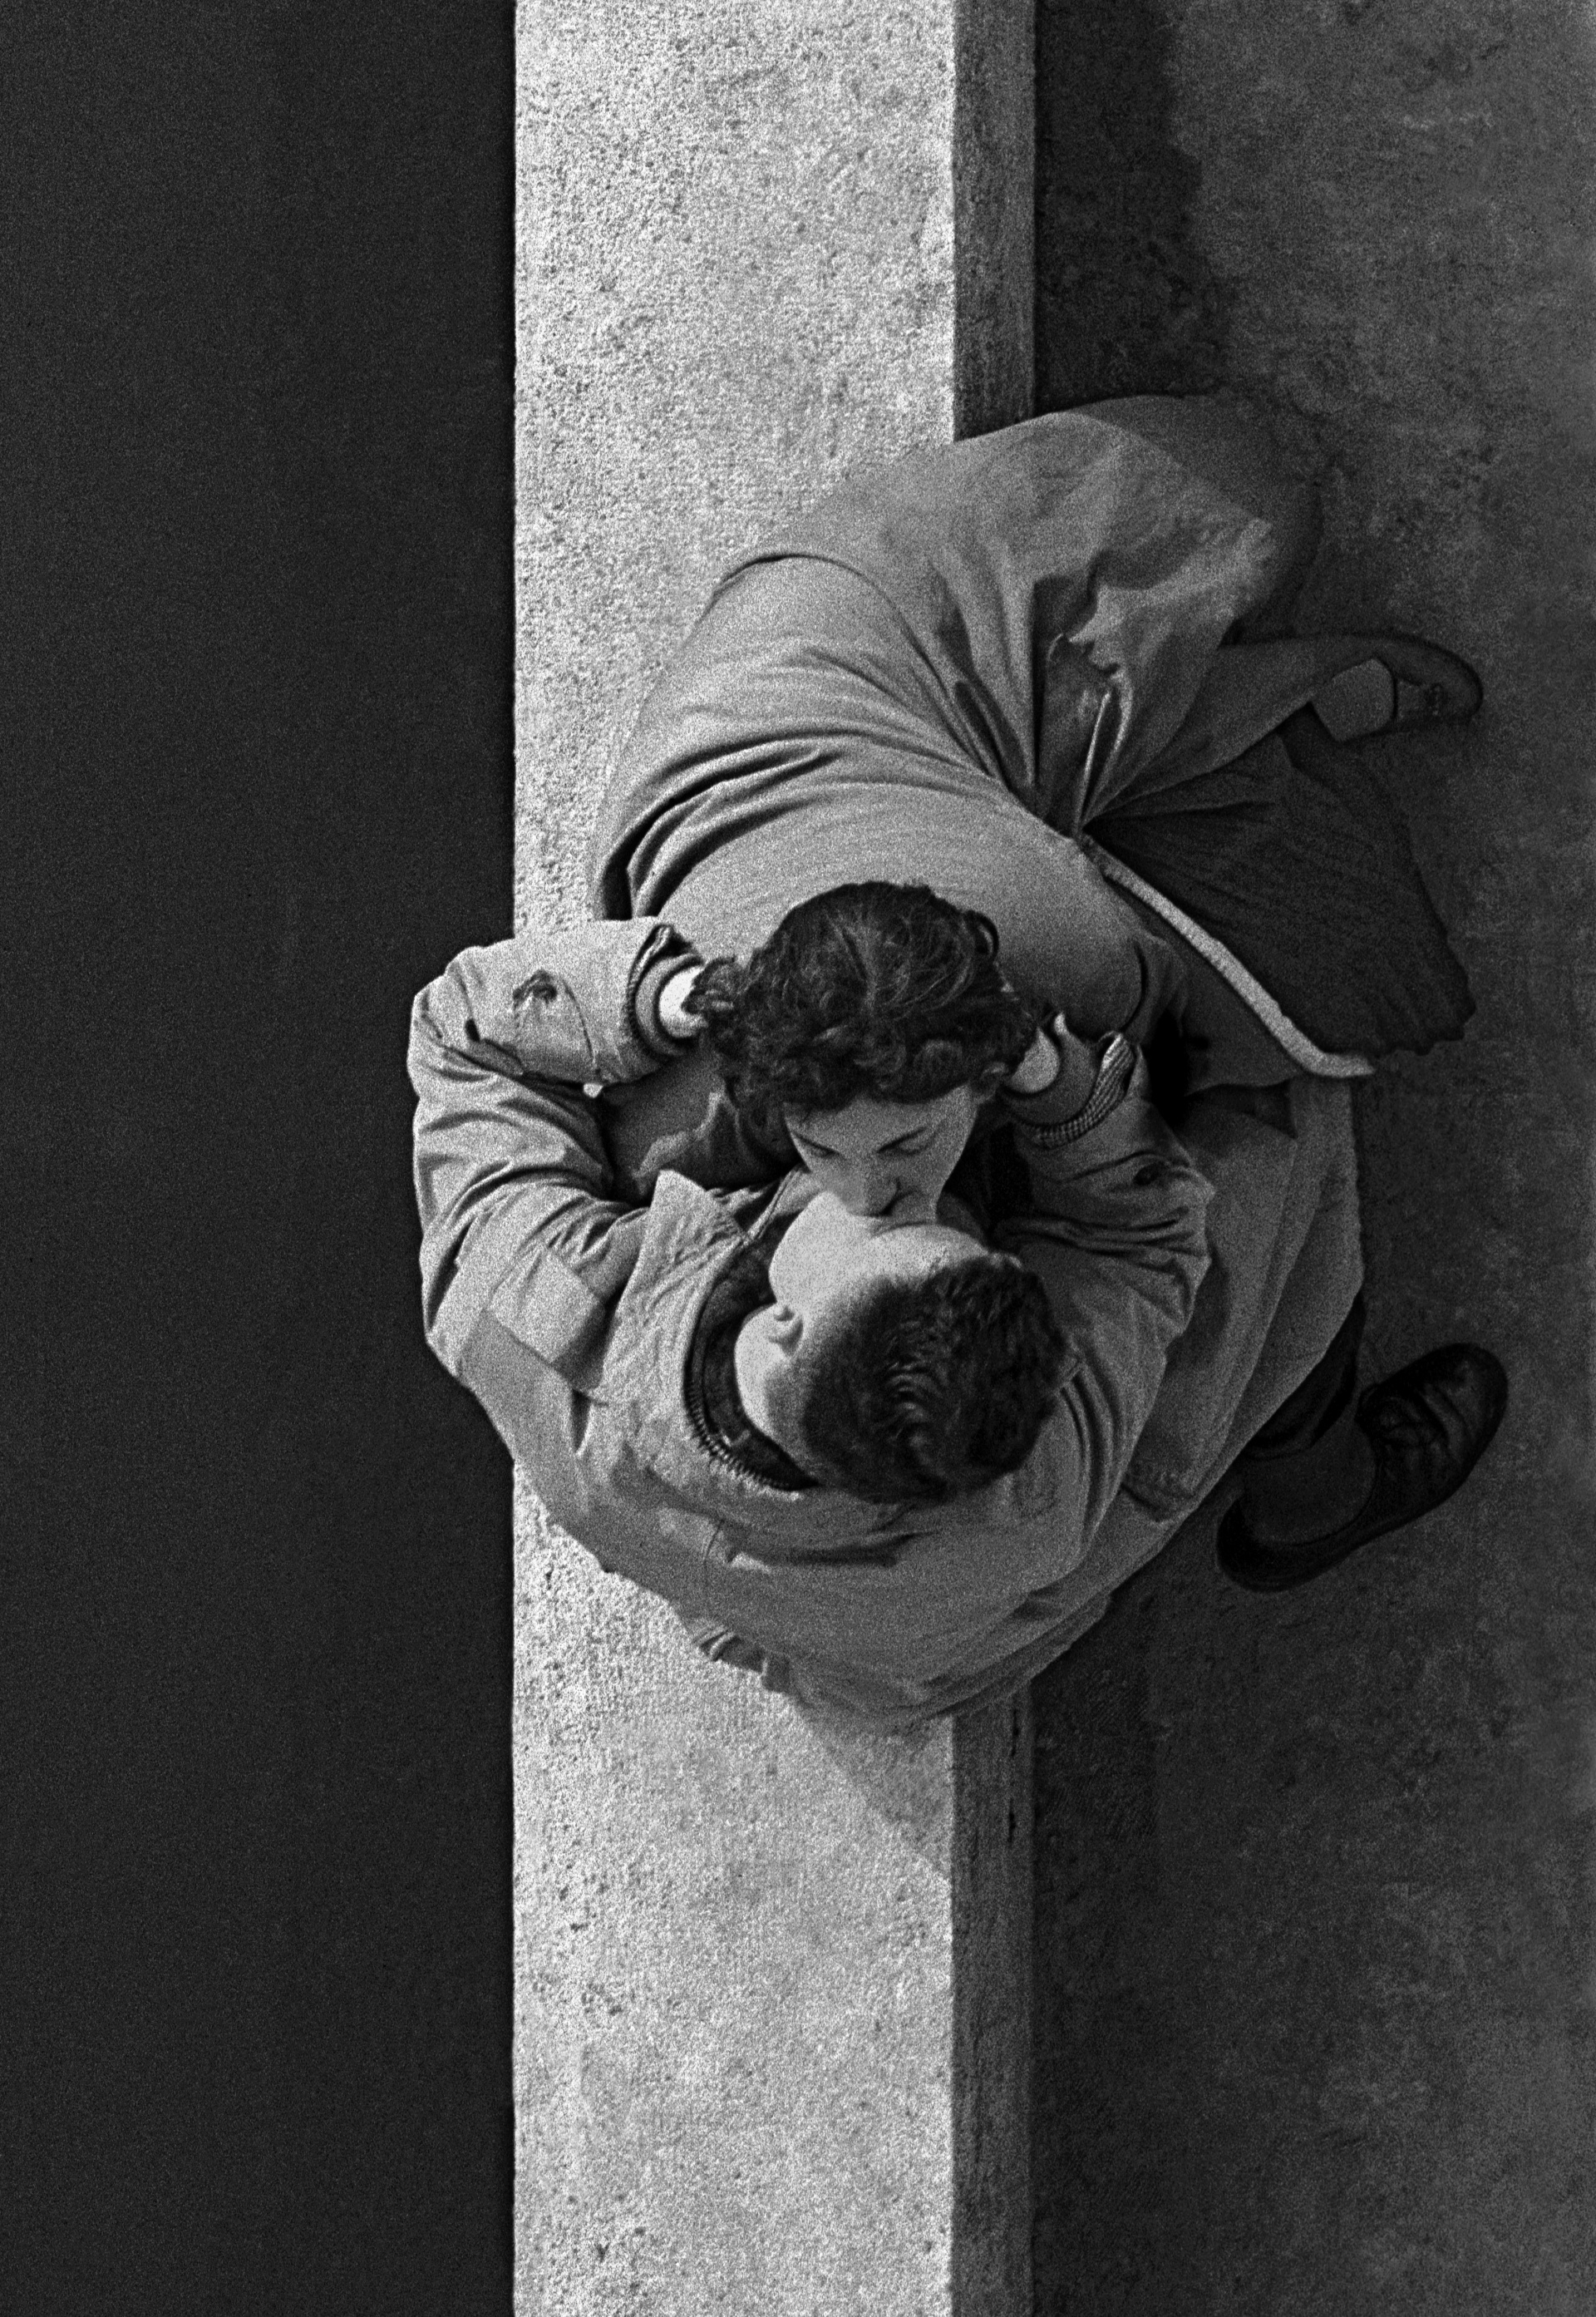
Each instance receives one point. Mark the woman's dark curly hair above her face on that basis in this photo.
(879, 991)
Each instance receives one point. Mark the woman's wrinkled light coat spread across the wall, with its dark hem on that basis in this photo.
(962, 666)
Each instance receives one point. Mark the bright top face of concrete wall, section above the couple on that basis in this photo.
(735, 279)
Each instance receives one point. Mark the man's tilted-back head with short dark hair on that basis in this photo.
(900, 1359)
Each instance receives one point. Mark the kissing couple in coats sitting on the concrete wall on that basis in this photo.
(930, 1176)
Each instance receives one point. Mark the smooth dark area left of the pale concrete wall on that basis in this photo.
(256, 270)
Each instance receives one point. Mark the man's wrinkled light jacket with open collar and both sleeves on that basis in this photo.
(1196, 1280)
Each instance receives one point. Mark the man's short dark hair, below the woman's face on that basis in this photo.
(932, 1387)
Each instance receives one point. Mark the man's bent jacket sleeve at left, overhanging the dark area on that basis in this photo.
(511, 1164)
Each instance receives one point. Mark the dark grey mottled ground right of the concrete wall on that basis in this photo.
(1315, 1876)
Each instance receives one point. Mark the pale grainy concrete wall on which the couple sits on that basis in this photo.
(747, 2068)
